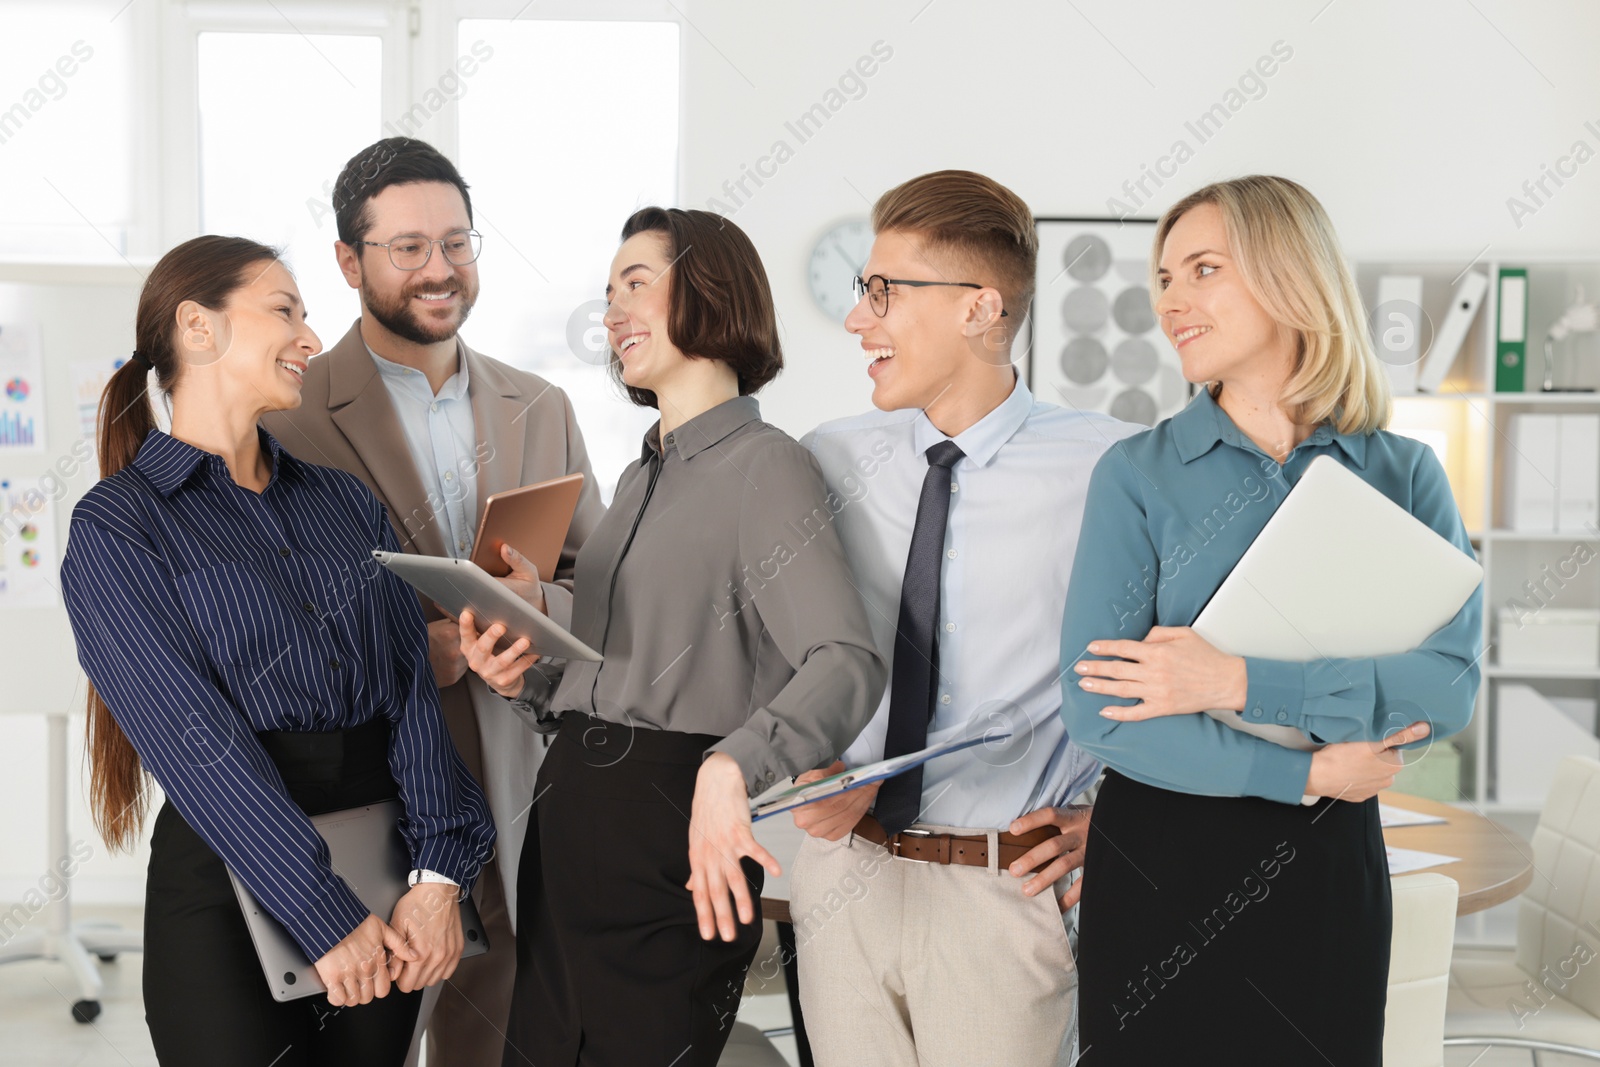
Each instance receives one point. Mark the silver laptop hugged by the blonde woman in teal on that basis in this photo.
(1338, 572)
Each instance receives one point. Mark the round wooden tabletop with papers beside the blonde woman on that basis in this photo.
(1497, 865)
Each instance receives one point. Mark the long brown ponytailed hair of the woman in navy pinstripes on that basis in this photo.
(207, 271)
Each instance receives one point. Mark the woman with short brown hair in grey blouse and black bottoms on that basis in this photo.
(737, 652)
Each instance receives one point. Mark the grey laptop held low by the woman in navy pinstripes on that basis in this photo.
(372, 858)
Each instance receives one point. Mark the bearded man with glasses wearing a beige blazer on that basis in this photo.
(436, 428)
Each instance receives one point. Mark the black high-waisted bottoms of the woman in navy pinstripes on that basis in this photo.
(206, 997)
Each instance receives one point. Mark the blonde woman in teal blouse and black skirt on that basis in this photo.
(1220, 913)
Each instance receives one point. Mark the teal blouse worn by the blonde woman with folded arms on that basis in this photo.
(1170, 513)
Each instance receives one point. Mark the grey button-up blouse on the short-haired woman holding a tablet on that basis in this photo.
(719, 594)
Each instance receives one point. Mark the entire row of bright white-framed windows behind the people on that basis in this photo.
(132, 126)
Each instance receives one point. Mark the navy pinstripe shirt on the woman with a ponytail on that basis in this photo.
(206, 612)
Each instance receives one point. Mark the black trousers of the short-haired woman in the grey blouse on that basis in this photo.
(612, 970)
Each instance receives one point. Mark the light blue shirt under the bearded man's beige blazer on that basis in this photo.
(441, 433)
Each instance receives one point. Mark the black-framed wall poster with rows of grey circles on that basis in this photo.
(1095, 340)
